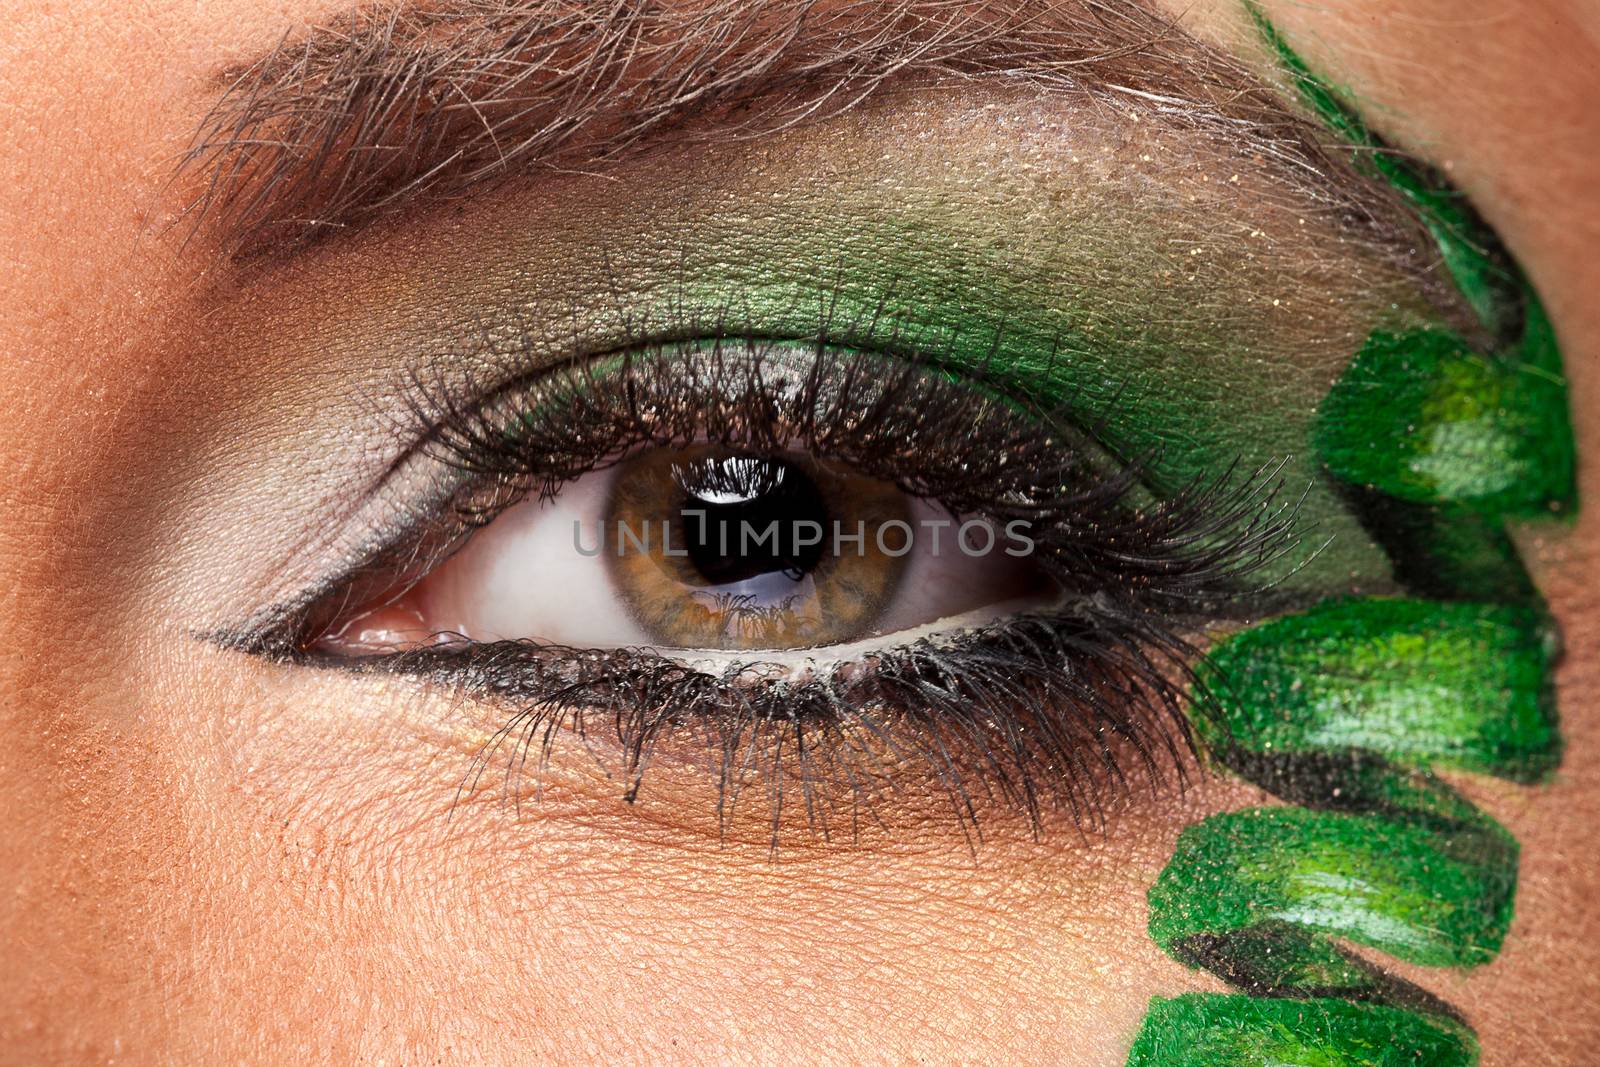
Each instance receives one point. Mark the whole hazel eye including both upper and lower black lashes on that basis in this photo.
(839, 548)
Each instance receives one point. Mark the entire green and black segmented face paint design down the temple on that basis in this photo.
(1436, 439)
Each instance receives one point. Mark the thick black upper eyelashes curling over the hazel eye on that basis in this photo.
(892, 418)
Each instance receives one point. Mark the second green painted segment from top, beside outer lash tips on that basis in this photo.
(1457, 685)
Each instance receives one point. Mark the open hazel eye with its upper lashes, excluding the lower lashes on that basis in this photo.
(735, 495)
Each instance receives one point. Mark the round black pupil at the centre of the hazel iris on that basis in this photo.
(745, 518)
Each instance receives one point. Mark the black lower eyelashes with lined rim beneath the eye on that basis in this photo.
(1036, 713)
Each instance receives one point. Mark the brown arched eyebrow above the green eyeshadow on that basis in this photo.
(399, 105)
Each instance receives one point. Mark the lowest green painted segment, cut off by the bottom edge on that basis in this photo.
(1228, 1031)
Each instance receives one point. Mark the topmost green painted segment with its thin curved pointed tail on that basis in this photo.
(1428, 417)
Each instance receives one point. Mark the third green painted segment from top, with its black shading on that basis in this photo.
(1372, 853)
